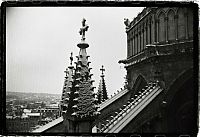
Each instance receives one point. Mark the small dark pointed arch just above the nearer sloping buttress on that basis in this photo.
(139, 84)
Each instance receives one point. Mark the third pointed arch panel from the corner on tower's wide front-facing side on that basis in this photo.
(181, 23)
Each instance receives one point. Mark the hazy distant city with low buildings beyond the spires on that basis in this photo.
(26, 112)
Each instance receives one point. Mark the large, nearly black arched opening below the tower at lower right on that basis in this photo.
(181, 114)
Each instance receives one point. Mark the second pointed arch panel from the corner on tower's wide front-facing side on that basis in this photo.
(171, 26)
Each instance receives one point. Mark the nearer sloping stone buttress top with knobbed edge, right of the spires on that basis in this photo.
(131, 109)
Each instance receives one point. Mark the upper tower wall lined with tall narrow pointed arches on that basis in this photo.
(159, 26)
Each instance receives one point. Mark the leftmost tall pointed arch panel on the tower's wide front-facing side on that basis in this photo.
(161, 27)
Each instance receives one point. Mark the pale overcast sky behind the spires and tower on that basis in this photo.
(39, 41)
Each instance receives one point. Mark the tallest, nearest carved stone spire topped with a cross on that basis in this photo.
(82, 104)
